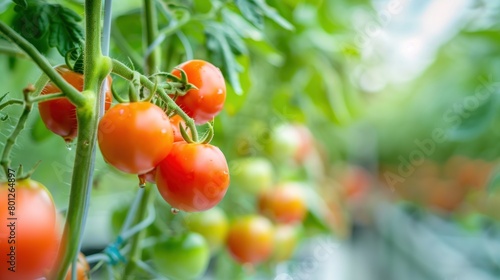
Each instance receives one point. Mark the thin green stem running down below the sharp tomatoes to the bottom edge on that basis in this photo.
(136, 251)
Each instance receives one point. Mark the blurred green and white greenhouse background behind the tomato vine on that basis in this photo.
(385, 111)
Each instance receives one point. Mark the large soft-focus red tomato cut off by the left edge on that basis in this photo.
(35, 234)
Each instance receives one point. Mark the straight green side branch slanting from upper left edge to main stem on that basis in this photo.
(73, 95)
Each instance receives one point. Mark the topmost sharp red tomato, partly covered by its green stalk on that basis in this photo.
(204, 103)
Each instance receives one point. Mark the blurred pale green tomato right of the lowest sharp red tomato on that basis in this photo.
(252, 175)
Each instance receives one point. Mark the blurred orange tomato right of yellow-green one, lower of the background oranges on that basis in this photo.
(250, 239)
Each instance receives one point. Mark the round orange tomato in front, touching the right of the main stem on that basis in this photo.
(135, 137)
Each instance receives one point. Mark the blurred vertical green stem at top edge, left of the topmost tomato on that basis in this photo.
(150, 21)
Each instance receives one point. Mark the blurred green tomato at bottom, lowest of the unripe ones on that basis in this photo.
(183, 257)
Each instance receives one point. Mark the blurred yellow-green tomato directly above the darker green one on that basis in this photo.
(212, 224)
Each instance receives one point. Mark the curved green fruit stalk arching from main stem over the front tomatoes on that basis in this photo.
(127, 73)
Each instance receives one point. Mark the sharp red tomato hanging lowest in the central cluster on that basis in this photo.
(193, 177)
